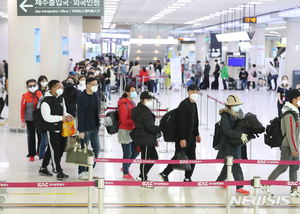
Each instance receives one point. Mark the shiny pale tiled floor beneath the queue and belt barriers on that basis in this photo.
(15, 167)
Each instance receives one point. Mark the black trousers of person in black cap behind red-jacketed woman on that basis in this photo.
(147, 152)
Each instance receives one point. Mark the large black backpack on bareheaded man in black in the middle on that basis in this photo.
(168, 124)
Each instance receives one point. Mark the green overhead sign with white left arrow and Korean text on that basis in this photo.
(60, 7)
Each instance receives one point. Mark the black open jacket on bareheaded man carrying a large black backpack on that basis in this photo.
(185, 120)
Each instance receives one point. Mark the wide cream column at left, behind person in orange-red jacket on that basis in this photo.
(21, 55)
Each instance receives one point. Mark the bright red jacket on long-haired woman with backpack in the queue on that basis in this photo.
(125, 114)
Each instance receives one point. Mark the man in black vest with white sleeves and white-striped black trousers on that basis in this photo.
(54, 112)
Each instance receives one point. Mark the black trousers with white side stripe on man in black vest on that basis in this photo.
(53, 151)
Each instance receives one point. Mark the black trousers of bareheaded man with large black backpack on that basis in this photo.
(190, 152)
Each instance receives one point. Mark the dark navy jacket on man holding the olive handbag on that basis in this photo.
(84, 112)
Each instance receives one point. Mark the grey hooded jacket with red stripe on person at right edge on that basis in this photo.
(290, 127)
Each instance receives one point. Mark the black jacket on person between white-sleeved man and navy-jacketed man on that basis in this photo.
(70, 96)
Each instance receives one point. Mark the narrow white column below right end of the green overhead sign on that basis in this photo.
(75, 34)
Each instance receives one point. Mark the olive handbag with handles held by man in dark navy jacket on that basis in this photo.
(77, 155)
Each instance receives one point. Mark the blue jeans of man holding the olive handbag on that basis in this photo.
(92, 136)
